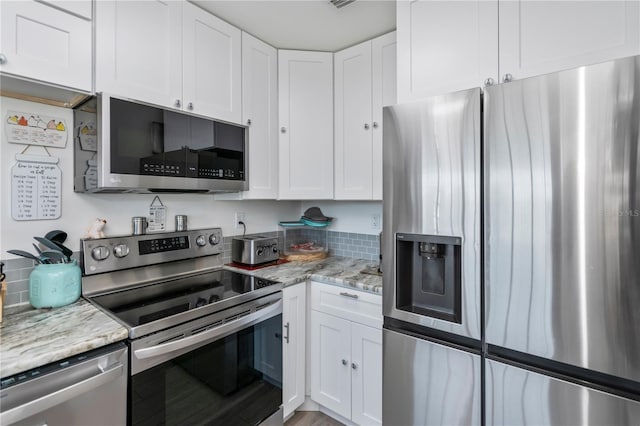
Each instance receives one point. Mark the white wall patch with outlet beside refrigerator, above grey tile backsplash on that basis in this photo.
(350, 216)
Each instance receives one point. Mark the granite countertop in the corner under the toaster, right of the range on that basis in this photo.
(342, 271)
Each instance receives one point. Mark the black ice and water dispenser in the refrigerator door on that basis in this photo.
(429, 275)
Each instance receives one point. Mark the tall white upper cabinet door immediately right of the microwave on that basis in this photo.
(260, 113)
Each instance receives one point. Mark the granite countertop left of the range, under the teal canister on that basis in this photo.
(31, 338)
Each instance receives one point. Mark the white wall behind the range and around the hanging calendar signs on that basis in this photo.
(79, 211)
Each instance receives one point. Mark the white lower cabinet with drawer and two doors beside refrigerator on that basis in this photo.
(346, 355)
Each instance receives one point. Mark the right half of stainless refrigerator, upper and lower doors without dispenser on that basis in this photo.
(562, 247)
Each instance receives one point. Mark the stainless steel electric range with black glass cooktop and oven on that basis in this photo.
(205, 343)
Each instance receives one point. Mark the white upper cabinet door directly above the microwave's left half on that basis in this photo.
(139, 50)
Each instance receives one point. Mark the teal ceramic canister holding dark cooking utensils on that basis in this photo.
(54, 285)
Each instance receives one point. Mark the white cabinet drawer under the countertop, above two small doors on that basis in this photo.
(352, 304)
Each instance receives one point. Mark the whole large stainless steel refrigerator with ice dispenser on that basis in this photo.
(512, 253)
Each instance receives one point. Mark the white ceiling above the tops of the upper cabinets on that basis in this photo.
(307, 24)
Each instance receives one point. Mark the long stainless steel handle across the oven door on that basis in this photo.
(212, 334)
